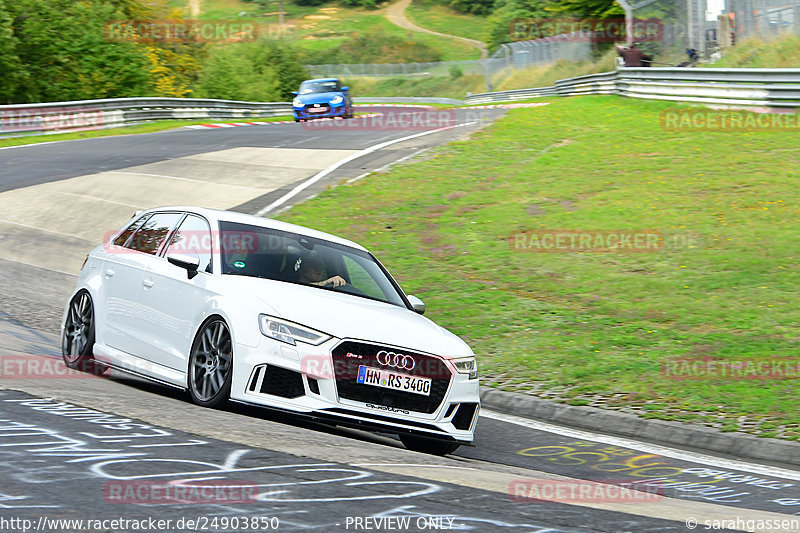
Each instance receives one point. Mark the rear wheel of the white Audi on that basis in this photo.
(77, 340)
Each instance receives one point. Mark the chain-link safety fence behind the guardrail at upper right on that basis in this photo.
(667, 30)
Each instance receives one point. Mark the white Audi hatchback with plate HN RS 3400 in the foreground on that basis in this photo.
(233, 306)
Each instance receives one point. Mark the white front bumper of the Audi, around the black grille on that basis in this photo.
(303, 379)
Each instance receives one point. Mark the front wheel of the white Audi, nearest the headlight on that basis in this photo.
(211, 364)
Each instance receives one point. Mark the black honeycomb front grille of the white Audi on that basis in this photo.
(349, 355)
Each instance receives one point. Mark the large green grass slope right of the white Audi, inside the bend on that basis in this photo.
(598, 328)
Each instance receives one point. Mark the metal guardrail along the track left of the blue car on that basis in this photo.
(113, 112)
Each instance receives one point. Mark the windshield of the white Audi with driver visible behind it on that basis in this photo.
(282, 256)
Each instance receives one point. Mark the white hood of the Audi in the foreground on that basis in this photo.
(347, 316)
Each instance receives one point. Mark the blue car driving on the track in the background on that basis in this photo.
(322, 98)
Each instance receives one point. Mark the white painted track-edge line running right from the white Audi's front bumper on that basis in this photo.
(706, 460)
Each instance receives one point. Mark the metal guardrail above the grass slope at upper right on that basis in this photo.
(734, 87)
